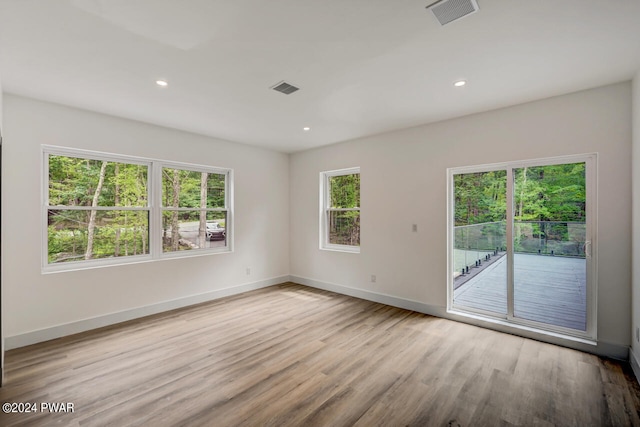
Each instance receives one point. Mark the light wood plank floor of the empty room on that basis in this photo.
(289, 355)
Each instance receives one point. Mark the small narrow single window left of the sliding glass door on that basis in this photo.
(340, 210)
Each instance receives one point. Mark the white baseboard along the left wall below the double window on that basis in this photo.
(46, 334)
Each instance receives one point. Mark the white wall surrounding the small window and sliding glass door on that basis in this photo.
(403, 177)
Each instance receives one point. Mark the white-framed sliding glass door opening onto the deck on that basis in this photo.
(521, 243)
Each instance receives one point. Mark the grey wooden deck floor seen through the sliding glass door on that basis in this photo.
(547, 289)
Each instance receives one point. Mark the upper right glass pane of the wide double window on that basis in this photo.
(190, 189)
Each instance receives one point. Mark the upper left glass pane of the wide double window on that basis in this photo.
(76, 181)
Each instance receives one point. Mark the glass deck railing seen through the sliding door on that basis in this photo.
(476, 244)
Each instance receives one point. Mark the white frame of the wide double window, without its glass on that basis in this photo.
(153, 207)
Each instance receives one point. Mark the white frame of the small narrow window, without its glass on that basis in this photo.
(325, 208)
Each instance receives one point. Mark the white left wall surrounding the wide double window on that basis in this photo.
(42, 306)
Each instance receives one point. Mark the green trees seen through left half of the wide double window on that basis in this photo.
(74, 182)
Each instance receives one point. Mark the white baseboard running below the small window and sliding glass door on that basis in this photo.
(614, 351)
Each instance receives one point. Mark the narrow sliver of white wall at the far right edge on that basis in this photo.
(635, 346)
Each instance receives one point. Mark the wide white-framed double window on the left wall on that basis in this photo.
(108, 209)
